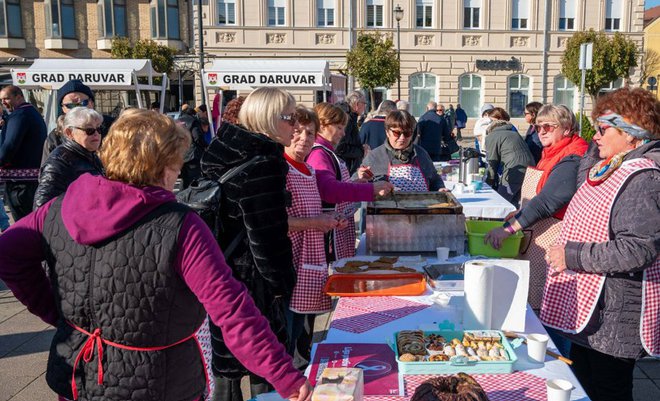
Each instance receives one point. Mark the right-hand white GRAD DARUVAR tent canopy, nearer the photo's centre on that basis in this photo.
(237, 74)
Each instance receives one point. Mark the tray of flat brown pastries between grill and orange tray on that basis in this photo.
(379, 265)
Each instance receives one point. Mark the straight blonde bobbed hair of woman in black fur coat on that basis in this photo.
(261, 110)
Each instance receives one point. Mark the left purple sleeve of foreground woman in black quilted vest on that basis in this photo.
(21, 254)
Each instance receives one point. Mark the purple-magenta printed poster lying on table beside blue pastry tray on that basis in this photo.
(381, 373)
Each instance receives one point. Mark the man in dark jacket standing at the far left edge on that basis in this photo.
(21, 140)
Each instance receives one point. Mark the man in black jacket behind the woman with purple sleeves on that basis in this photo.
(350, 147)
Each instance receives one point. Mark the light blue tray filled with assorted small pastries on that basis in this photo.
(447, 351)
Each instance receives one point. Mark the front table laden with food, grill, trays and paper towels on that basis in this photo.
(427, 312)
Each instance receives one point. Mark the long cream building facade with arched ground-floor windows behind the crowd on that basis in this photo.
(505, 52)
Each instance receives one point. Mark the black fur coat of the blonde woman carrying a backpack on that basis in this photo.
(254, 200)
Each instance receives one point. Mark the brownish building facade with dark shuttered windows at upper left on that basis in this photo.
(85, 28)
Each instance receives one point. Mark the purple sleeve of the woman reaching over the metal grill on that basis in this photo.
(332, 190)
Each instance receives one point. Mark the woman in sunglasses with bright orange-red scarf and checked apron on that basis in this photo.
(547, 190)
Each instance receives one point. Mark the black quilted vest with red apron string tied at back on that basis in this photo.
(127, 287)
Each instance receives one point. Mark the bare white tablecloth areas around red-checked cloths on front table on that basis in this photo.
(552, 369)
